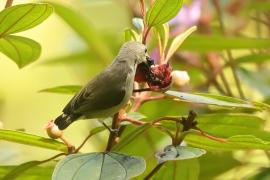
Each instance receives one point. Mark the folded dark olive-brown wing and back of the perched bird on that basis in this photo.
(103, 92)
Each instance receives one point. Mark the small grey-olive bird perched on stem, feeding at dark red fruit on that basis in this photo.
(109, 91)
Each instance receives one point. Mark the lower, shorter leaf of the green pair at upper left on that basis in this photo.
(21, 50)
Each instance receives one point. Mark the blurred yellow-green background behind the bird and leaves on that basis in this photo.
(67, 60)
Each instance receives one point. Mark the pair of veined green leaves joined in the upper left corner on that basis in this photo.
(20, 18)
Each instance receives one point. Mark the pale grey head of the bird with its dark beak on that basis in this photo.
(135, 53)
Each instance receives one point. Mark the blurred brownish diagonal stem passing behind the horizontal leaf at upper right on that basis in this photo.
(228, 52)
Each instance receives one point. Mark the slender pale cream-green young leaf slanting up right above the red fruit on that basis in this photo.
(178, 40)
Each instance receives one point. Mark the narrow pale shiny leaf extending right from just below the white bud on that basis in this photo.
(210, 99)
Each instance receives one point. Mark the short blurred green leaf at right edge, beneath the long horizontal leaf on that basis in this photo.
(253, 58)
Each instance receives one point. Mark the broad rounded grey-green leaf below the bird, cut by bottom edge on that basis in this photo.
(103, 166)
